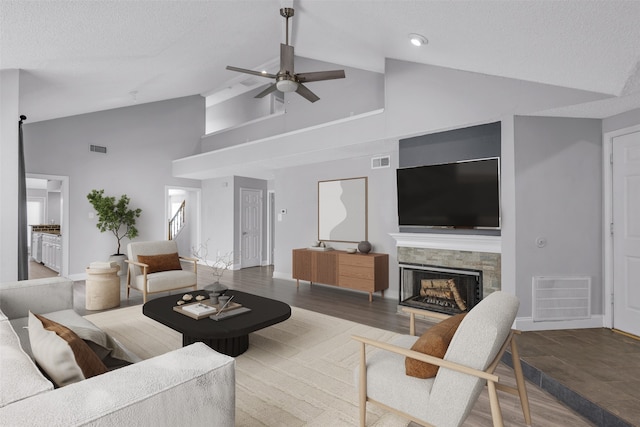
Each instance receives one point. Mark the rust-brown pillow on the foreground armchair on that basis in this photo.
(433, 342)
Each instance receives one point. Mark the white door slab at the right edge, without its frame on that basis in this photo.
(626, 238)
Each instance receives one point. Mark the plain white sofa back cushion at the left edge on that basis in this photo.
(20, 376)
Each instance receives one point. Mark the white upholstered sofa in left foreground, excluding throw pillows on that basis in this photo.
(191, 386)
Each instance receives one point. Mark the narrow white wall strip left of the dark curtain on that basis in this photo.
(9, 117)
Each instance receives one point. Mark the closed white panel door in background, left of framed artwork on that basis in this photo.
(250, 227)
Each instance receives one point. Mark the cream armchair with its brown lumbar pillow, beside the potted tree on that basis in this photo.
(156, 267)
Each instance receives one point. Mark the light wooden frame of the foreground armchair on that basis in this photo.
(492, 380)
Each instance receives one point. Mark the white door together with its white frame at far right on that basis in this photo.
(622, 250)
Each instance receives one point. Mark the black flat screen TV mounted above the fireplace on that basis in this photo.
(453, 195)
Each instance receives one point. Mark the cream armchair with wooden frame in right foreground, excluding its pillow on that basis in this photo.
(471, 358)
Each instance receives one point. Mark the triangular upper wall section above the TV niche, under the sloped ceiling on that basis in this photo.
(425, 98)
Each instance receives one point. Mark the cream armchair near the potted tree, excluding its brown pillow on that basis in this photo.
(140, 279)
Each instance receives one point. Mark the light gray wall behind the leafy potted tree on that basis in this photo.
(141, 142)
